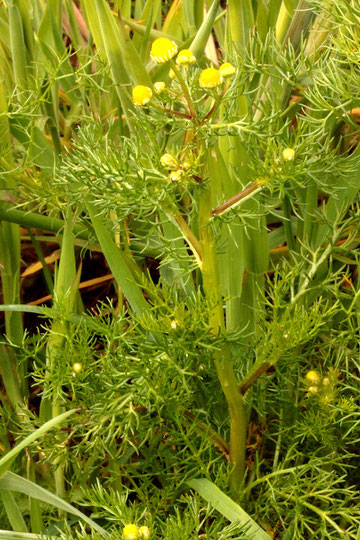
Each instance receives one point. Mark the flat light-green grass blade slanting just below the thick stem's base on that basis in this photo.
(227, 507)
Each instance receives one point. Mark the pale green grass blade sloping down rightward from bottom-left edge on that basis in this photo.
(13, 482)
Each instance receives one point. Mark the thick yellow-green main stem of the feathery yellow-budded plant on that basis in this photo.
(223, 361)
